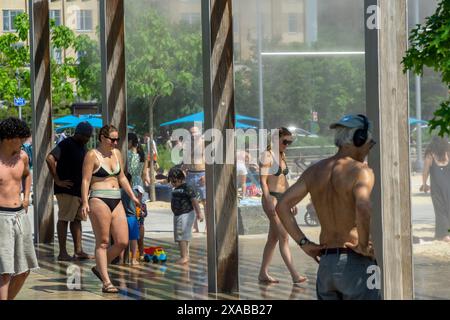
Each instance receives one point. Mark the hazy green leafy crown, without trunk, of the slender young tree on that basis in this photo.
(160, 61)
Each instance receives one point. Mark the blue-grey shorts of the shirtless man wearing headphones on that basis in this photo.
(347, 276)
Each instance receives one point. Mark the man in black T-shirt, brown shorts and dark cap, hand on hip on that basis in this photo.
(65, 163)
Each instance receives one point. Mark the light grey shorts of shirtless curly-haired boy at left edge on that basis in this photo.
(17, 253)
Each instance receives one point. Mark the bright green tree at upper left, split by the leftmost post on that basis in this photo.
(15, 67)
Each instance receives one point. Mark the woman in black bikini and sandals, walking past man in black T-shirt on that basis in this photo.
(103, 176)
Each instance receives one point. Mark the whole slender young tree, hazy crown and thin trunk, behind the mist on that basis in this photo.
(157, 62)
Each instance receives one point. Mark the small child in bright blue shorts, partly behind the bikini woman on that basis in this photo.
(133, 224)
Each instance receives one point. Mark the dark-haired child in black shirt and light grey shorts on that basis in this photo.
(183, 205)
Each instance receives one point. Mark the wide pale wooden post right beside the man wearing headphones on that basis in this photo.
(387, 107)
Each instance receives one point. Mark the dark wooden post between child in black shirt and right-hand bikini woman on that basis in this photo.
(221, 193)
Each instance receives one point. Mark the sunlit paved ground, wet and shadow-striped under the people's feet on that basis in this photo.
(170, 281)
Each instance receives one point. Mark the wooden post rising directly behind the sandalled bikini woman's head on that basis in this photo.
(112, 46)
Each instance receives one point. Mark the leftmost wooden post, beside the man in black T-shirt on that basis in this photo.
(42, 120)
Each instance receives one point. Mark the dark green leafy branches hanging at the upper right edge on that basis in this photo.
(430, 47)
